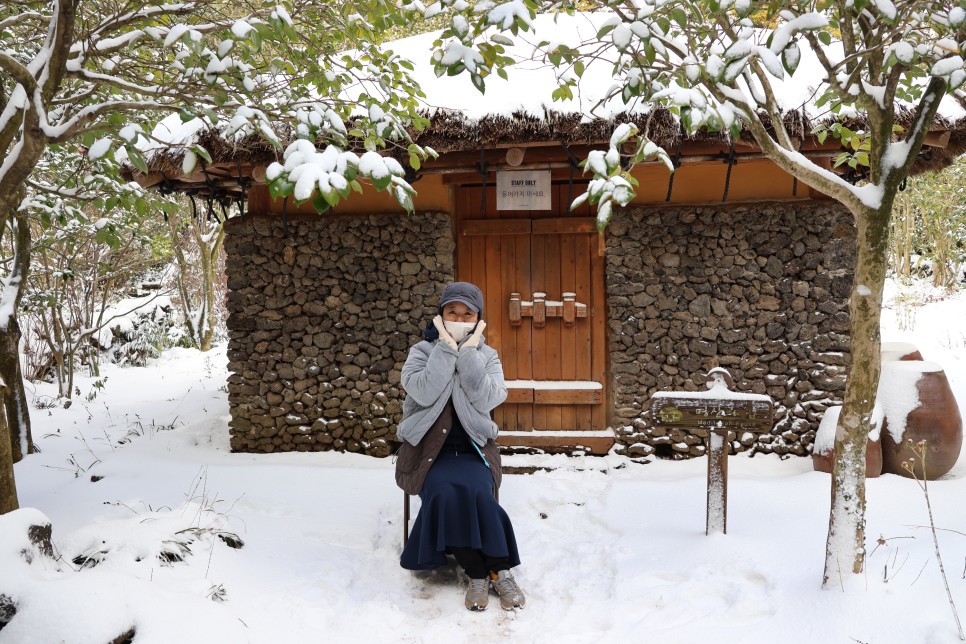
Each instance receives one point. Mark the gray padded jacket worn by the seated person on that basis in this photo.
(434, 372)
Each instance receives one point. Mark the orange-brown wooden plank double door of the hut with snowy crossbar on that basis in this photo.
(555, 366)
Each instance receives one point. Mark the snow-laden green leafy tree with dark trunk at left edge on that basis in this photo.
(98, 74)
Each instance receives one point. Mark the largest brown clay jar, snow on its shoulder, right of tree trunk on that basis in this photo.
(936, 420)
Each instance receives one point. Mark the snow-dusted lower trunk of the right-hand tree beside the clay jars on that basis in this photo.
(845, 548)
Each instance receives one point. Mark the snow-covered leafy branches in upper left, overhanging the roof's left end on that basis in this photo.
(106, 79)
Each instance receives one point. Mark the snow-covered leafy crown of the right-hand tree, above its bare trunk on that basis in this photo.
(724, 65)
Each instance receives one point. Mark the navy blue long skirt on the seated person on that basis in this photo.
(458, 511)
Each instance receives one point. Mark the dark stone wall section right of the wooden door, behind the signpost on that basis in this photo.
(761, 289)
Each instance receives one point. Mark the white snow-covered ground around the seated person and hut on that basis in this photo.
(612, 551)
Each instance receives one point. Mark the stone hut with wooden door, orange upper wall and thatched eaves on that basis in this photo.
(729, 262)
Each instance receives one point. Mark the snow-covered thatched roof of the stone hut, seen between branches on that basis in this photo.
(516, 112)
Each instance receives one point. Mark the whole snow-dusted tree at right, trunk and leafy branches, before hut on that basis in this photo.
(723, 65)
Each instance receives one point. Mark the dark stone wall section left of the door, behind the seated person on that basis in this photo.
(322, 312)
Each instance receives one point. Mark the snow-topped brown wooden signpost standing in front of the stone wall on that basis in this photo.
(718, 410)
